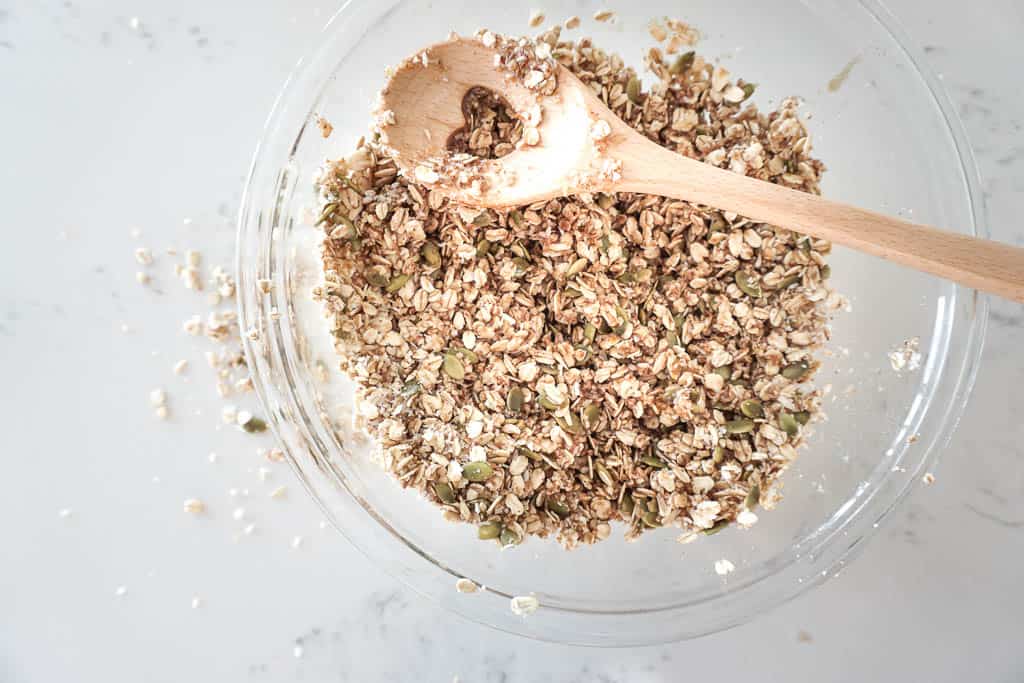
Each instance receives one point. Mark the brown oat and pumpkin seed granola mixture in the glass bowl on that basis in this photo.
(604, 358)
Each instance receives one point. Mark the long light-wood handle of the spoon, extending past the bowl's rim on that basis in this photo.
(982, 265)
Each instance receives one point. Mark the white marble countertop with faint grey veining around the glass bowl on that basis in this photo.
(106, 126)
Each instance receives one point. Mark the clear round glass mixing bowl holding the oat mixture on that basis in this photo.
(892, 144)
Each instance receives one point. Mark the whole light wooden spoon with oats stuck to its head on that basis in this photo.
(421, 107)
